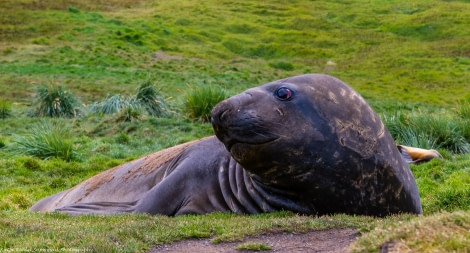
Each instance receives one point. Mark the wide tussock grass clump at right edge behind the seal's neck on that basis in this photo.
(430, 131)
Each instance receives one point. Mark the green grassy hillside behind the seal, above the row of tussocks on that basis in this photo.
(411, 52)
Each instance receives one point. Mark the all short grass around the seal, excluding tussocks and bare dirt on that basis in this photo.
(391, 51)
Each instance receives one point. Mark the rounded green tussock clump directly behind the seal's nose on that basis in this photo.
(200, 100)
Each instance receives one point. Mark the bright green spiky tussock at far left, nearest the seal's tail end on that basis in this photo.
(46, 140)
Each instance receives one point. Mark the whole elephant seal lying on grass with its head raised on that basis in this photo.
(309, 144)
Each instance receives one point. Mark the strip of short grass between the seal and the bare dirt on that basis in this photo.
(138, 232)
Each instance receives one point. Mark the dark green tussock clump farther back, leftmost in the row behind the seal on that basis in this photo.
(56, 102)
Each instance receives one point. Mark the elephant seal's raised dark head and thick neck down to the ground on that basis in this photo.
(316, 134)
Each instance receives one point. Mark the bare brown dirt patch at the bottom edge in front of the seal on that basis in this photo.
(333, 240)
